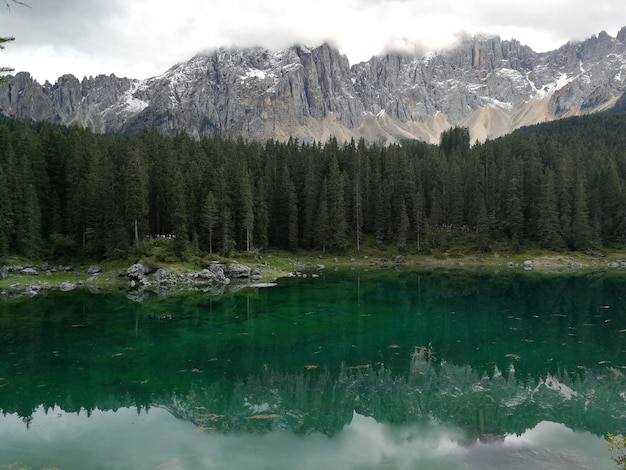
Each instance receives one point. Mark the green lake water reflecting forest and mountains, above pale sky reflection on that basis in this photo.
(503, 354)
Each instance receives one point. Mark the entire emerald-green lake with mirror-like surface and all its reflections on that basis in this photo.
(349, 370)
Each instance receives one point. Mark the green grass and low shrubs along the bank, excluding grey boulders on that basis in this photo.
(273, 264)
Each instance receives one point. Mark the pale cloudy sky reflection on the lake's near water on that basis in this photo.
(127, 439)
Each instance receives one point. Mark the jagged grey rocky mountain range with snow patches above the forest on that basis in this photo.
(487, 84)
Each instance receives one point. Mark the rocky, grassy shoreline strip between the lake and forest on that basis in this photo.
(28, 281)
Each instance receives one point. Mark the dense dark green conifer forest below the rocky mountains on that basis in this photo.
(65, 191)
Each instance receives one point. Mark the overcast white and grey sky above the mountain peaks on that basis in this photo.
(143, 38)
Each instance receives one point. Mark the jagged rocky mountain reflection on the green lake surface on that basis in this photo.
(486, 406)
